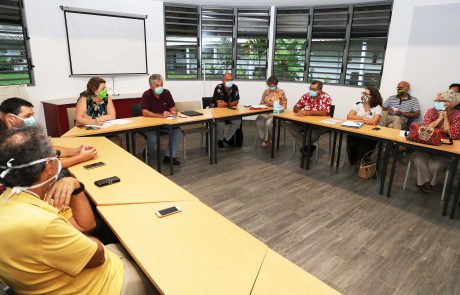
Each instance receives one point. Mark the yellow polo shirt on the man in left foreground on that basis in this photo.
(41, 252)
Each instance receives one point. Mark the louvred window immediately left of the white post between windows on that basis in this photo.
(252, 44)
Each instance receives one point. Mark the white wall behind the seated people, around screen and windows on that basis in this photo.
(435, 71)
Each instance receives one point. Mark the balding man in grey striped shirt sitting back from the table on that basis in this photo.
(400, 108)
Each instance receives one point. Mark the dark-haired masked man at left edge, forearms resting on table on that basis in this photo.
(17, 112)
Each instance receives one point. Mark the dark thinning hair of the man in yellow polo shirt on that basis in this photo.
(24, 145)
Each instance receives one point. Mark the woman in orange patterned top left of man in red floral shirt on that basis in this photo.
(264, 121)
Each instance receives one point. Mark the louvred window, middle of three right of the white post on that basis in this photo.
(329, 30)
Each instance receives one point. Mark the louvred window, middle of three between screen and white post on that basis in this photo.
(217, 41)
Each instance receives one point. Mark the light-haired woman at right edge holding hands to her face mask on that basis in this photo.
(443, 116)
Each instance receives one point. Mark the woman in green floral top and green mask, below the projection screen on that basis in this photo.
(94, 106)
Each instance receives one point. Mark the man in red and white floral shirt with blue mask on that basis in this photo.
(314, 103)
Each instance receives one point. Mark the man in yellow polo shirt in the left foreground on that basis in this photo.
(41, 251)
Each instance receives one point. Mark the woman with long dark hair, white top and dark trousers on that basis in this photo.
(368, 111)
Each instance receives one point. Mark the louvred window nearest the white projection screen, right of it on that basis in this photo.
(181, 38)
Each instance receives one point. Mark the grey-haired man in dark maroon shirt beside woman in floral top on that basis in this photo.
(158, 103)
